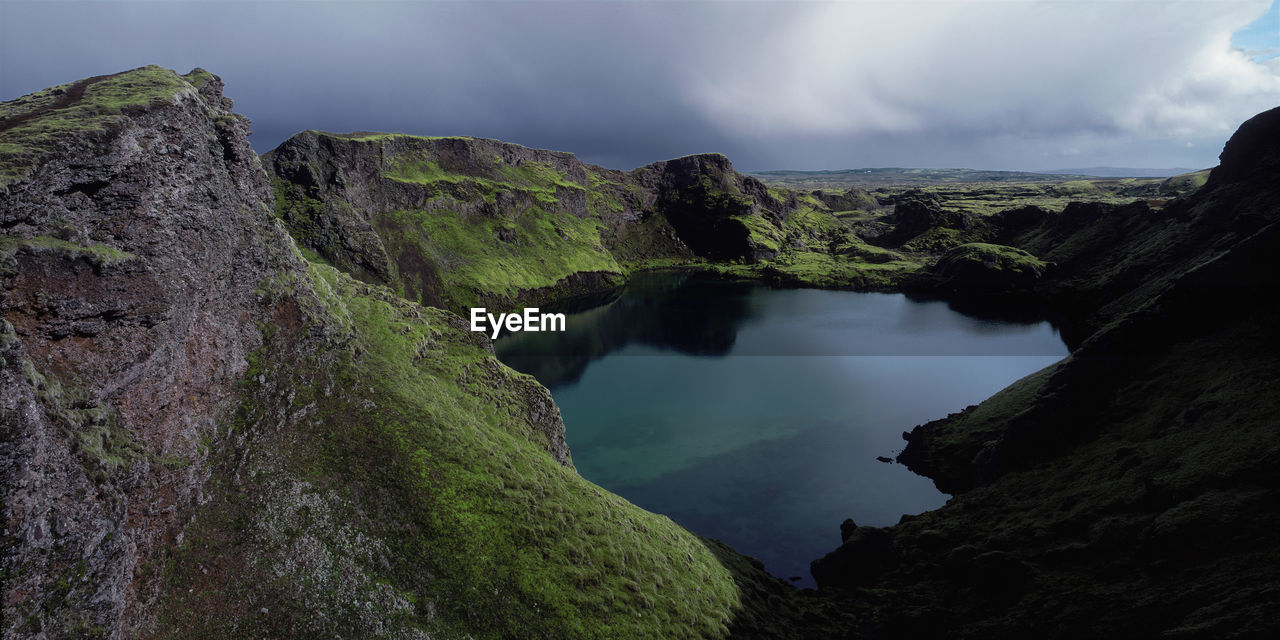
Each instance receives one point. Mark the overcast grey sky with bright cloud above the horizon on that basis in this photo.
(979, 84)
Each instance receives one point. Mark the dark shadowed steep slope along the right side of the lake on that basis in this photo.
(1130, 490)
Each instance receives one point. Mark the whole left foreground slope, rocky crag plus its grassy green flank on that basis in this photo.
(207, 436)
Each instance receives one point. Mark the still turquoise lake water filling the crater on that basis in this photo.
(755, 415)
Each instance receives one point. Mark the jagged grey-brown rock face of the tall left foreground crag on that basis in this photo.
(131, 257)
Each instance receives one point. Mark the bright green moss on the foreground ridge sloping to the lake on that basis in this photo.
(575, 554)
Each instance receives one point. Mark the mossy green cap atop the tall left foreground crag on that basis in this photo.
(34, 125)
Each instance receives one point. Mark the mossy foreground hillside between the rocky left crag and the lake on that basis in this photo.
(468, 527)
